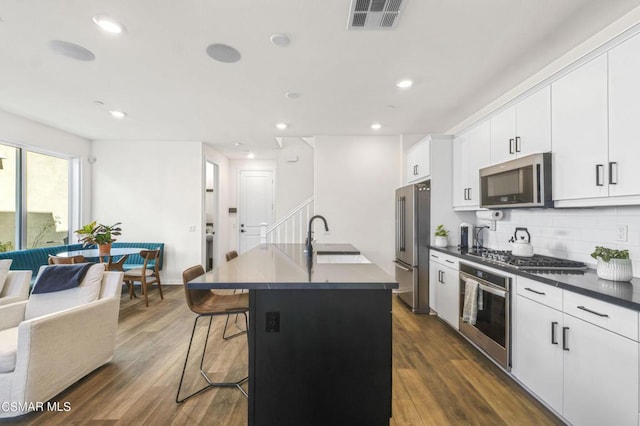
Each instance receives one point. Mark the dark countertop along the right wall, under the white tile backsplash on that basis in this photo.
(626, 294)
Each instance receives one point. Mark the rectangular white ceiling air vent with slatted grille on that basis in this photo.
(374, 14)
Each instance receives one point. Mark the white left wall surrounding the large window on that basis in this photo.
(18, 131)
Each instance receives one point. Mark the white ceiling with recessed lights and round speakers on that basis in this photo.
(461, 54)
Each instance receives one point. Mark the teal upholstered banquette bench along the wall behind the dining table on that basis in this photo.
(34, 258)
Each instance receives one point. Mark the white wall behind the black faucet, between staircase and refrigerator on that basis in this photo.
(355, 178)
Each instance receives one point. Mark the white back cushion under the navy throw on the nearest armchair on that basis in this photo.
(88, 291)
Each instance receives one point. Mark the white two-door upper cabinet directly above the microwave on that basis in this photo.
(523, 129)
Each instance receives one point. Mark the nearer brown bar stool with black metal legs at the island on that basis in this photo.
(206, 303)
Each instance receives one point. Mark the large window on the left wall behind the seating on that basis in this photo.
(35, 200)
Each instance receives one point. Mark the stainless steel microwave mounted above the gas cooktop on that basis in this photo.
(523, 182)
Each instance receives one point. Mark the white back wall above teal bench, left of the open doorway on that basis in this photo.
(156, 189)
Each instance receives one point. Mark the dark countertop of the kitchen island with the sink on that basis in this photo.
(285, 266)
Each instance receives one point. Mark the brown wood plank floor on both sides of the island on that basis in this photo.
(438, 377)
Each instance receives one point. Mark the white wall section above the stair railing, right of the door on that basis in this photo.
(295, 178)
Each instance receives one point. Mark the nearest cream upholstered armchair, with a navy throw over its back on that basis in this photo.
(55, 349)
